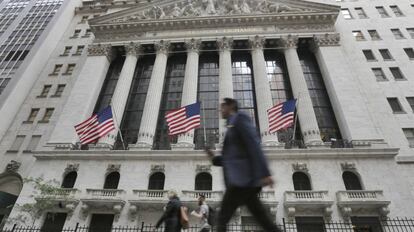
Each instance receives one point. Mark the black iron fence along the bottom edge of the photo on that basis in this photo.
(388, 225)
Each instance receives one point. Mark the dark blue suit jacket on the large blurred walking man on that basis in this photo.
(242, 159)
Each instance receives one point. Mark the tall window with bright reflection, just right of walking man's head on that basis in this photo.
(243, 84)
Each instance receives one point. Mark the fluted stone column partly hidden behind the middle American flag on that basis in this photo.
(186, 141)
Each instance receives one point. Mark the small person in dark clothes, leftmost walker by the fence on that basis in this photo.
(172, 214)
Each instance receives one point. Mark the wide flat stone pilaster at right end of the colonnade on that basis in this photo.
(345, 95)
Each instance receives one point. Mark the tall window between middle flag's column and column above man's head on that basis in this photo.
(208, 85)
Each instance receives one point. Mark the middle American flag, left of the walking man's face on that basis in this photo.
(184, 119)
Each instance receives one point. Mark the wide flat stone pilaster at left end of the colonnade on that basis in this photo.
(83, 97)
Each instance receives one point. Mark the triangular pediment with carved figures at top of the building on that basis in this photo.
(163, 11)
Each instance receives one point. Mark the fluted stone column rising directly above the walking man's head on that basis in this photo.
(225, 77)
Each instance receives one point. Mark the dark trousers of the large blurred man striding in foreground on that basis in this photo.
(235, 197)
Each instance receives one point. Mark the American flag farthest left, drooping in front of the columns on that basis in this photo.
(95, 127)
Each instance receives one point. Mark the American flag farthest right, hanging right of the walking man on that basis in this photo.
(281, 116)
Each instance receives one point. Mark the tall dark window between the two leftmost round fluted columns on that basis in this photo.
(136, 100)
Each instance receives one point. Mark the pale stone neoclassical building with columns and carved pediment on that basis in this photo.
(350, 159)
